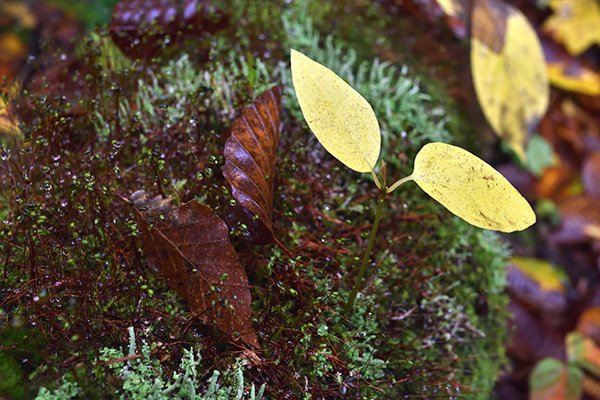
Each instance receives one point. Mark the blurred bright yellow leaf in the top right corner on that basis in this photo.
(575, 23)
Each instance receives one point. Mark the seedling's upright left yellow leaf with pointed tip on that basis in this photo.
(341, 119)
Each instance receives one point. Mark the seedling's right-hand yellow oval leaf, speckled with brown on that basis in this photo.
(470, 188)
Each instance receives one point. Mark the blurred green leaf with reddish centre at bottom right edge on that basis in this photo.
(552, 380)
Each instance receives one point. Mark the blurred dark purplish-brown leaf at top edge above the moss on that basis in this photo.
(140, 27)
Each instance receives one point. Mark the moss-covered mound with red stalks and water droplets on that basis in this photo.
(430, 323)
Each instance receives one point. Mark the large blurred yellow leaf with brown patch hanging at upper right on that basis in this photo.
(509, 72)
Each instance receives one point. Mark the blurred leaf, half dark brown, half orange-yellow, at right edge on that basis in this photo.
(568, 72)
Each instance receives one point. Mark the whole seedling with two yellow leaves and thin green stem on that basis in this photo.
(346, 125)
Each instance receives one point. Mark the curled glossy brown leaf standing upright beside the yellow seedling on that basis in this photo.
(250, 154)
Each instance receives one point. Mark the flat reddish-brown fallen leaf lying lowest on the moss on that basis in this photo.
(189, 246)
